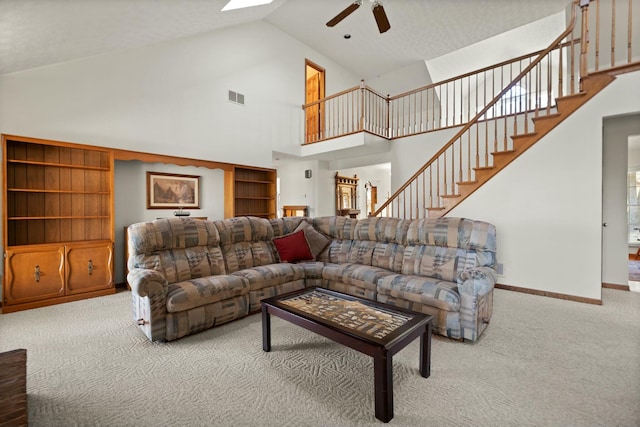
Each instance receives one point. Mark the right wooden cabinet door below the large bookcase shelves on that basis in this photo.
(89, 267)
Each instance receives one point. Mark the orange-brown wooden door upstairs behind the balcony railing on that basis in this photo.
(314, 114)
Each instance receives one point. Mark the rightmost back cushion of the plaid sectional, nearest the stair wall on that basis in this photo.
(443, 247)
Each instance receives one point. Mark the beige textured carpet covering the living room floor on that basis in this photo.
(542, 362)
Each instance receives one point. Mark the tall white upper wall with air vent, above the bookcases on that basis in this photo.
(171, 97)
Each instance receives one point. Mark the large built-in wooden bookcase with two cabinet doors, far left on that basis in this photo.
(57, 222)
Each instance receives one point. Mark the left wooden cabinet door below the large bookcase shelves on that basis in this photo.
(33, 274)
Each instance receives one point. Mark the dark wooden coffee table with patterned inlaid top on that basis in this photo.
(376, 329)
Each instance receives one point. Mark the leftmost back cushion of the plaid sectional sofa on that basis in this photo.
(180, 248)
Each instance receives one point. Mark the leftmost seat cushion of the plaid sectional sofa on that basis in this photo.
(205, 290)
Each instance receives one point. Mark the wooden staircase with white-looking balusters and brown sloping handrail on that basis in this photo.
(510, 124)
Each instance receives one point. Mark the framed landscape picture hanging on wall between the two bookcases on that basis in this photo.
(172, 191)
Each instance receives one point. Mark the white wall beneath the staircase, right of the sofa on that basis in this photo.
(547, 204)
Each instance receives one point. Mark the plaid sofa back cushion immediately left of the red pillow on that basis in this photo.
(246, 242)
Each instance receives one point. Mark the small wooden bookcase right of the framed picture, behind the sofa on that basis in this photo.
(254, 192)
